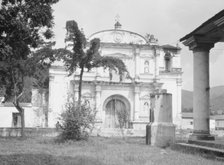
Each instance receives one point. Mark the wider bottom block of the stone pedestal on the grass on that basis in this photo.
(162, 134)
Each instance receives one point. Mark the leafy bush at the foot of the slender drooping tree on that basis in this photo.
(76, 122)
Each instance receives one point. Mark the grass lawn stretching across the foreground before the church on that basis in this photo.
(96, 151)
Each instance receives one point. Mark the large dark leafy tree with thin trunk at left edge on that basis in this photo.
(24, 27)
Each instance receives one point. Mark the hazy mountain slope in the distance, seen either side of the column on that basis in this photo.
(216, 99)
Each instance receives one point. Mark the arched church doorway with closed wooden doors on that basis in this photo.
(117, 112)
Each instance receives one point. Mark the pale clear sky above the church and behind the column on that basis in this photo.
(167, 20)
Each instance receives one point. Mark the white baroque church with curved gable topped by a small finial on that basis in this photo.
(151, 67)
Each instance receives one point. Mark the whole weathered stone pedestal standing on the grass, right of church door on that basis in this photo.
(162, 129)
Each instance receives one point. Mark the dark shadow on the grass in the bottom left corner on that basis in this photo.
(44, 159)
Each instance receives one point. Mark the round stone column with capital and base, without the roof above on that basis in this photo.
(201, 92)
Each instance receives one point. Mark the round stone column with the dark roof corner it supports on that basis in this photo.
(200, 41)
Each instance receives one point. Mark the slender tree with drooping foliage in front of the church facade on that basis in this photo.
(82, 57)
